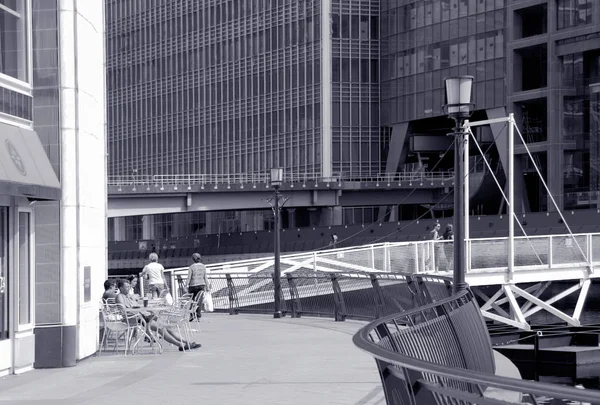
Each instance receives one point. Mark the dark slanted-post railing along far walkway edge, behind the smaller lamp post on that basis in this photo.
(355, 295)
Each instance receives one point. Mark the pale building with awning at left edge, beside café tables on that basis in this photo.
(52, 128)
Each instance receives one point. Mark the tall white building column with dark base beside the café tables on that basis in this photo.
(83, 169)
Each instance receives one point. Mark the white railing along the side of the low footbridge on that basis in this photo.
(550, 253)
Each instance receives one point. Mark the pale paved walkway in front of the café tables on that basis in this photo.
(245, 359)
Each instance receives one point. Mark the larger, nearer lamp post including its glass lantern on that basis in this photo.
(459, 107)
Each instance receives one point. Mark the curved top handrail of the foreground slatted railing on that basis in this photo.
(362, 340)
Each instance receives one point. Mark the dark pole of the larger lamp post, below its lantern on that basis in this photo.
(459, 208)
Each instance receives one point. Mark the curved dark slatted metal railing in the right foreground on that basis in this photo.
(440, 353)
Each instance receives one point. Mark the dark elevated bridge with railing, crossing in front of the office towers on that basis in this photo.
(157, 194)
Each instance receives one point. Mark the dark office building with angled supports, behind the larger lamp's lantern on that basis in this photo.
(538, 61)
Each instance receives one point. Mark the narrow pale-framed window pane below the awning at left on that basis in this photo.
(24, 269)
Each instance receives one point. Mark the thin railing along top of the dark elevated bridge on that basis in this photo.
(263, 178)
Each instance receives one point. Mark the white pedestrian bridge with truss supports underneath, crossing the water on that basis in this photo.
(539, 261)
